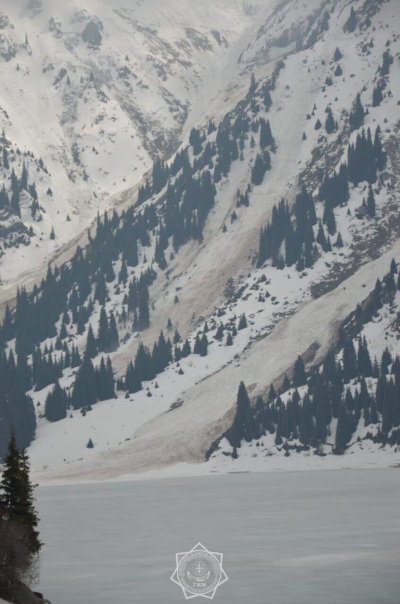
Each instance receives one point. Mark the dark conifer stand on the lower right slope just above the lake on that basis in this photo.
(340, 389)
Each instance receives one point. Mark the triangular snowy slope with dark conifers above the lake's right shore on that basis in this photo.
(349, 405)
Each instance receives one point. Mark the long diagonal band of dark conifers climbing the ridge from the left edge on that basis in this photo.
(37, 337)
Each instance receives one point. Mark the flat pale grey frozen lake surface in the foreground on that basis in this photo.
(304, 538)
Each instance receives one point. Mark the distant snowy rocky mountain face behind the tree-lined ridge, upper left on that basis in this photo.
(98, 90)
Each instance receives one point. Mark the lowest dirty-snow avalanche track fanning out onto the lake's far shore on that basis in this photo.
(143, 434)
